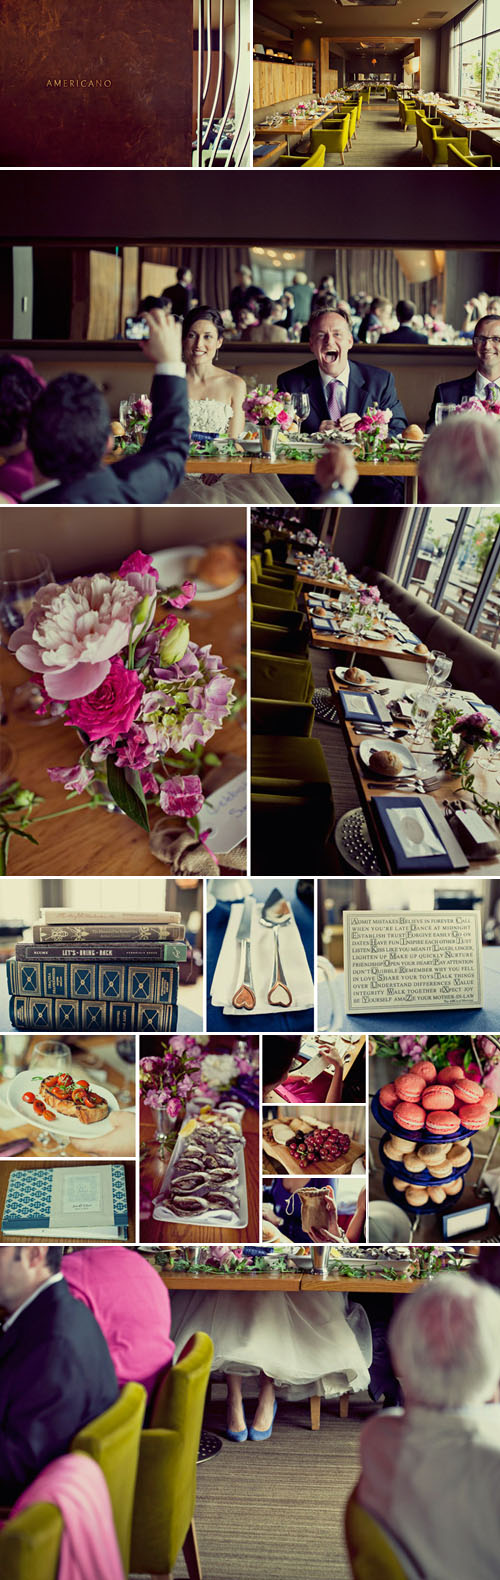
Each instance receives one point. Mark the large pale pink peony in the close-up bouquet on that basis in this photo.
(72, 634)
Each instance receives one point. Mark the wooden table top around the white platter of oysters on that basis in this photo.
(157, 1233)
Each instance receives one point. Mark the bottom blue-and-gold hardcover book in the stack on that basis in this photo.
(32, 1014)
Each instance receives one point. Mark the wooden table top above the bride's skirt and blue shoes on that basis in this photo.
(292, 1284)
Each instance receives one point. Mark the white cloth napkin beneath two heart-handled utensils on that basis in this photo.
(229, 971)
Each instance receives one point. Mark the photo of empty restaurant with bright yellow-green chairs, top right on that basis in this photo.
(376, 88)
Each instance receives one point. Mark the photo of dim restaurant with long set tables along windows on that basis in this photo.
(374, 631)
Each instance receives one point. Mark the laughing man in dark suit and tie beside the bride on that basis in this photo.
(341, 393)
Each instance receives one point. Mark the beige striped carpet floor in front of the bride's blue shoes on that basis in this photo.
(276, 1510)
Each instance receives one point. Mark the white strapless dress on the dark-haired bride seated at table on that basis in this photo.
(213, 418)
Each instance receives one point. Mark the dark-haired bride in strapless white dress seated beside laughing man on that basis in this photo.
(218, 408)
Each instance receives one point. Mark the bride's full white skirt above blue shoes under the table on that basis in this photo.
(308, 1344)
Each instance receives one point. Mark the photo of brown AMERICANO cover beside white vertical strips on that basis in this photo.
(145, 96)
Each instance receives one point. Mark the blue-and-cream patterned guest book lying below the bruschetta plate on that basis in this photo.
(75, 1203)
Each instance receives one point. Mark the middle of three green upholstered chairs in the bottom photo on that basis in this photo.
(113, 1442)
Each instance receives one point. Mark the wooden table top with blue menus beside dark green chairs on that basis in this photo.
(368, 788)
